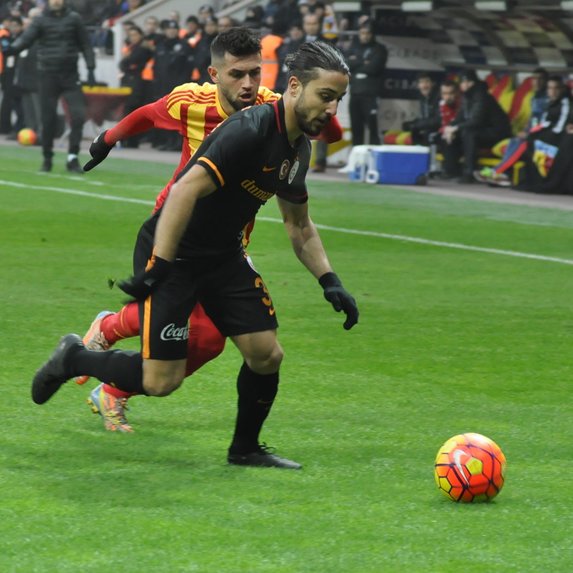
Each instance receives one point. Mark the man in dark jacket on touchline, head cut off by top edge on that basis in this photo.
(61, 36)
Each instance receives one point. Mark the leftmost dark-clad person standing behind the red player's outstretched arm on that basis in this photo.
(131, 67)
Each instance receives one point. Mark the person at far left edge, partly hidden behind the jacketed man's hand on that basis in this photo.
(11, 102)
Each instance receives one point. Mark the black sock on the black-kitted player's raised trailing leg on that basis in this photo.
(120, 368)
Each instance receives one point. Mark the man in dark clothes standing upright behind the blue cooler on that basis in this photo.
(367, 61)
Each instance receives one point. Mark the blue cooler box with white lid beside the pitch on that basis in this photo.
(400, 164)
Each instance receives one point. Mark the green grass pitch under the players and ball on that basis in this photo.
(450, 340)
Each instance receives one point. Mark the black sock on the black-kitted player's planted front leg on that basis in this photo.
(256, 395)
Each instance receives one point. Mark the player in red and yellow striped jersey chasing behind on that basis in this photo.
(194, 111)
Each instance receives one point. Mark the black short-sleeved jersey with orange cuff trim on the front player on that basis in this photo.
(250, 160)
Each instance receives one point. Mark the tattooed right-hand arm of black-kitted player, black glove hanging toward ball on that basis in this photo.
(309, 249)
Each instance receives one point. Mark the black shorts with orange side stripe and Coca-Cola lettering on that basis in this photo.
(231, 291)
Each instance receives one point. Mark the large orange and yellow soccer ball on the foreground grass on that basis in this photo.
(469, 468)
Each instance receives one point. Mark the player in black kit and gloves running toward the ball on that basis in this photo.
(191, 250)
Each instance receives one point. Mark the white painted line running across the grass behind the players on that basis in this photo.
(390, 236)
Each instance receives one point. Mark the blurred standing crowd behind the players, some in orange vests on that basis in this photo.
(170, 49)
